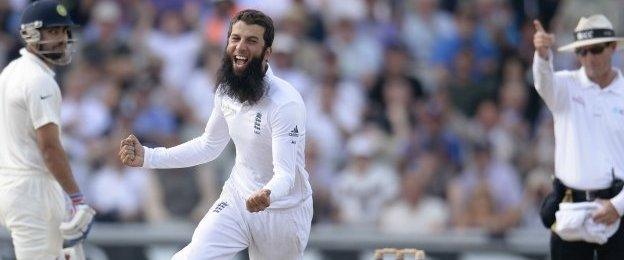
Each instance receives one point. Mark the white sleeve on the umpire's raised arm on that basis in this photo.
(546, 83)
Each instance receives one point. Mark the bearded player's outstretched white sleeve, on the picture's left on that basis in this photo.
(200, 150)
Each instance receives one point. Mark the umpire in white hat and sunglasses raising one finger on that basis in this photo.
(588, 110)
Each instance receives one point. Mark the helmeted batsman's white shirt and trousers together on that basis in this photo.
(31, 200)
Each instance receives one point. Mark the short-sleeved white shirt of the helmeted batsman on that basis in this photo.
(29, 98)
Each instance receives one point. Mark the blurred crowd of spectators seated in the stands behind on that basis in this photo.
(421, 114)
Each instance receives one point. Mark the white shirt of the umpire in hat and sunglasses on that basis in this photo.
(589, 126)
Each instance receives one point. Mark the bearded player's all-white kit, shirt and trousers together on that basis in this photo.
(270, 139)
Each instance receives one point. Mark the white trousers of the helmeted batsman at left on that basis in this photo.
(32, 207)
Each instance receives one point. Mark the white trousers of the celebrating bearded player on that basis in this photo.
(228, 228)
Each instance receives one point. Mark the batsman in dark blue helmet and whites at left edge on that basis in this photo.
(34, 170)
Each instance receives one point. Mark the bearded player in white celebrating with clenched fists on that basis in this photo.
(266, 204)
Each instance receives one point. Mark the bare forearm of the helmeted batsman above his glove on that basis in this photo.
(57, 163)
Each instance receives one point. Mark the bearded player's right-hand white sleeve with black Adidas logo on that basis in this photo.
(288, 131)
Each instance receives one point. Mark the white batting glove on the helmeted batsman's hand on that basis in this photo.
(77, 228)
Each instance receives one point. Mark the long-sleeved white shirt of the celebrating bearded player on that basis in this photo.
(269, 137)
